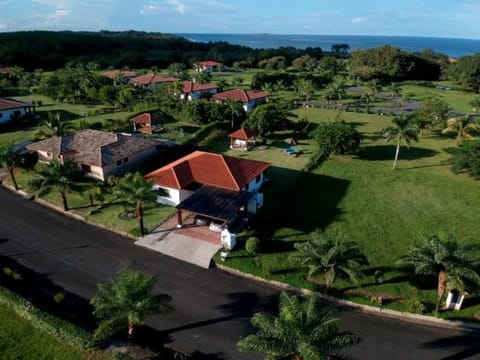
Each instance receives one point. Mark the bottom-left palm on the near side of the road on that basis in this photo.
(125, 301)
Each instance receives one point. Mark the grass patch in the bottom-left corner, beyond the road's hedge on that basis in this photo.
(20, 340)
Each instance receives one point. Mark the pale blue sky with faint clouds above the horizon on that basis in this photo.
(442, 18)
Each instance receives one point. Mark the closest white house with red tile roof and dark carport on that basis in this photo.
(212, 186)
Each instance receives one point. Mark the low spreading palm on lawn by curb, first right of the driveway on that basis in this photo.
(324, 254)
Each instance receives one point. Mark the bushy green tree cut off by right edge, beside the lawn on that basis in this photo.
(466, 158)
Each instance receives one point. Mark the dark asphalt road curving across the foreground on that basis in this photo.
(212, 307)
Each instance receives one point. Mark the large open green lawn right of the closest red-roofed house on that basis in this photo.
(361, 197)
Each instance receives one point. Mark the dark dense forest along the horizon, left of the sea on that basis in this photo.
(50, 50)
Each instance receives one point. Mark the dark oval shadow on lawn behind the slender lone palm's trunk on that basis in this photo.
(387, 152)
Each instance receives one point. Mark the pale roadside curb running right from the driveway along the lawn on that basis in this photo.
(377, 311)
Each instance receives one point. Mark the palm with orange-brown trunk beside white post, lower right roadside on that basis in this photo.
(453, 263)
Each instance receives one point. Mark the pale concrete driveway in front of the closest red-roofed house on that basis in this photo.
(185, 248)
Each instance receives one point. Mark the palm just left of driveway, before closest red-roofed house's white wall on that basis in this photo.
(134, 190)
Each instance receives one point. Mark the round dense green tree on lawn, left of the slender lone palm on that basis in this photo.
(336, 138)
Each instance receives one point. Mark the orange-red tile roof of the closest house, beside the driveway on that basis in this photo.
(211, 169)
